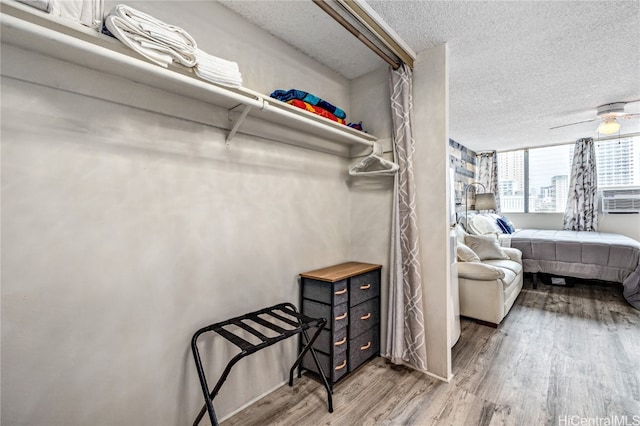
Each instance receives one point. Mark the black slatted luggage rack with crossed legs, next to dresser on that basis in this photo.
(304, 323)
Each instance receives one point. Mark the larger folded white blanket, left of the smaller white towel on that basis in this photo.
(155, 40)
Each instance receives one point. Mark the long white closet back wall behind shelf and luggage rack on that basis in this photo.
(126, 230)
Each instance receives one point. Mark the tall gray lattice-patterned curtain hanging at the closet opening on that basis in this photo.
(405, 326)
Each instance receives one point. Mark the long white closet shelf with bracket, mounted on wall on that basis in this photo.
(51, 36)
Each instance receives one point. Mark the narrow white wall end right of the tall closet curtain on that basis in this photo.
(431, 113)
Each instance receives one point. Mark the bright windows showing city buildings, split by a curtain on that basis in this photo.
(544, 173)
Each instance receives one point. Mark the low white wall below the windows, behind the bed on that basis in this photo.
(625, 224)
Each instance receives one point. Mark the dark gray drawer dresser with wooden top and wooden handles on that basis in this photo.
(348, 296)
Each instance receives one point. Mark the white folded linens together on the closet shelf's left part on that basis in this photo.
(164, 44)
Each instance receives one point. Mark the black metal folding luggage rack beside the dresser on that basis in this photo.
(266, 317)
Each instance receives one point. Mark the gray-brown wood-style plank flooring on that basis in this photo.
(563, 356)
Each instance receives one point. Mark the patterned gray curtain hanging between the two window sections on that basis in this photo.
(581, 213)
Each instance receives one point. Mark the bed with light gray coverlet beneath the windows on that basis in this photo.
(582, 254)
